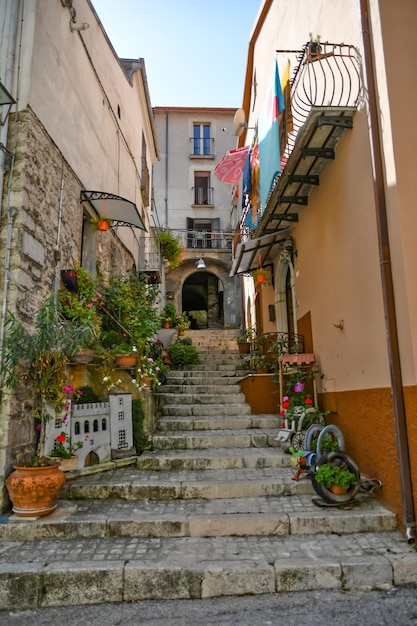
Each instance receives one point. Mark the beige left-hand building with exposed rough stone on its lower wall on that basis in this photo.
(78, 141)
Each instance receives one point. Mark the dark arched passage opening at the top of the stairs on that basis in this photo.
(202, 300)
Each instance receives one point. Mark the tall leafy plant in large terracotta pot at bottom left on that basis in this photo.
(38, 361)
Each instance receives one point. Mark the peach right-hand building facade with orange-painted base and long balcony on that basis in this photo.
(345, 198)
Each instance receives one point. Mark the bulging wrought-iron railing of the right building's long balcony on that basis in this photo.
(326, 75)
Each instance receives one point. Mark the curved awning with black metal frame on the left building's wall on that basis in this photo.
(121, 211)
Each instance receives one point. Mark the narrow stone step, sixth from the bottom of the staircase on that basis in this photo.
(218, 422)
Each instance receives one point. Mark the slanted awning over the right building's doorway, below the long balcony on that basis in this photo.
(249, 255)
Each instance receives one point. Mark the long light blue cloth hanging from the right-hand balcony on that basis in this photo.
(268, 136)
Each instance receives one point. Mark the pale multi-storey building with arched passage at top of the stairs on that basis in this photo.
(200, 210)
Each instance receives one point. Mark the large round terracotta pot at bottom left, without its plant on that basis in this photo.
(35, 490)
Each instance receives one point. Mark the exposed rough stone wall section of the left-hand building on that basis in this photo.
(46, 237)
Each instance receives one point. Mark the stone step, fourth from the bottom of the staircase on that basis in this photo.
(213, 459)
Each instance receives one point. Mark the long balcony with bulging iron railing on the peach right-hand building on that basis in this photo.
(325, 91)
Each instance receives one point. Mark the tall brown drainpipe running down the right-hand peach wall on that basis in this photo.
(387, 283)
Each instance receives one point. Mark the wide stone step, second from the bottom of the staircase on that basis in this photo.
(242, 517)
